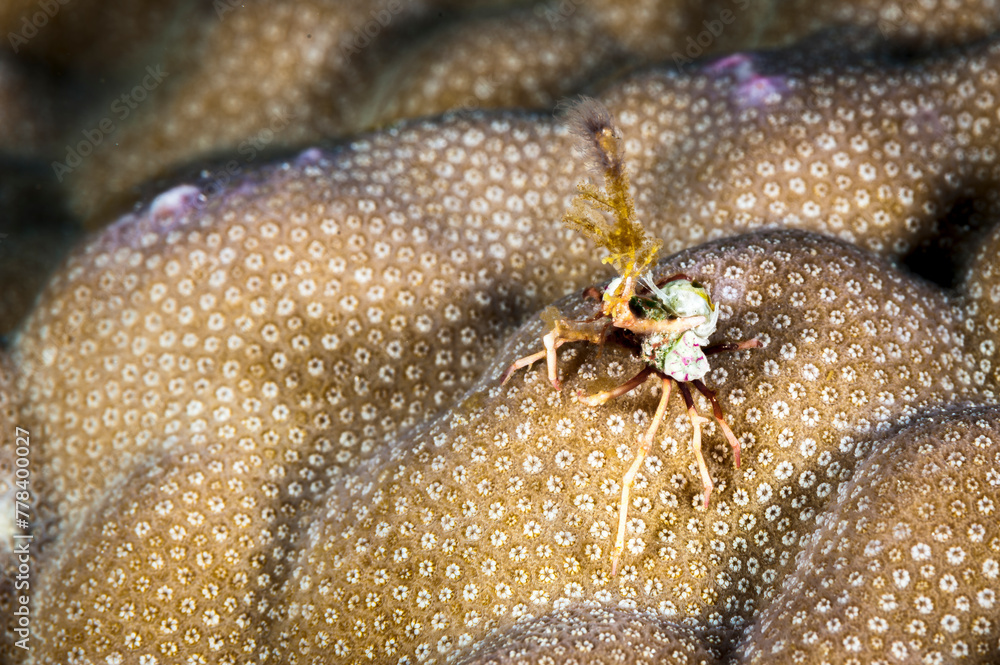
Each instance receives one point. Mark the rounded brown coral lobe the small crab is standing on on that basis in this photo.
(505, 509)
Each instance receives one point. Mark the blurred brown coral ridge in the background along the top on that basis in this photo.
(273, 75)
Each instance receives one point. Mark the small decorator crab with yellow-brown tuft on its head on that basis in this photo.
(667, 322)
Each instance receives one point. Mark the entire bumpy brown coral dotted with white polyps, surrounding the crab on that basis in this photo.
(265, 417)
